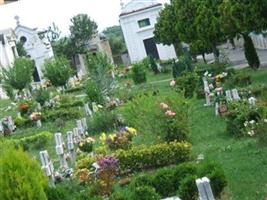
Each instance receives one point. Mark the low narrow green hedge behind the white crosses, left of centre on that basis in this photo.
(61, 113)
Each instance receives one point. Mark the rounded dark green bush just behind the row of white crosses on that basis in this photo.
(103, 121)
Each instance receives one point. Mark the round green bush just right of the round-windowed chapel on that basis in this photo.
(57, 71)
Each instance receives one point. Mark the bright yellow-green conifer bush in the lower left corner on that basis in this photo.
(20, 176)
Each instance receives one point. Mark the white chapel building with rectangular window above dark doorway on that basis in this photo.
(137, 20)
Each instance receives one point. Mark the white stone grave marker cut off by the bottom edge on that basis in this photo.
(204, 189)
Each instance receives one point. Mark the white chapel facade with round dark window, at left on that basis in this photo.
(37, 49)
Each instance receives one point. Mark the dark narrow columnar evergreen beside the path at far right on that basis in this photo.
(250, 52)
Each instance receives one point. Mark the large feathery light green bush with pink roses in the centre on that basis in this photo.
(142, 112)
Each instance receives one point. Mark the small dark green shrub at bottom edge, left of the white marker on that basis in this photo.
(144, 193)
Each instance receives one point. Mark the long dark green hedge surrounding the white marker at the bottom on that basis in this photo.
(181, 179)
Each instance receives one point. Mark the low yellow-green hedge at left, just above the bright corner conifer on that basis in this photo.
(35, 141)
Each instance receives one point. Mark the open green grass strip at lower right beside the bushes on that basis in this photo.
(243, 160)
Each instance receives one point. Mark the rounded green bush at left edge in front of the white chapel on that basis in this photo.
(19, 76)
